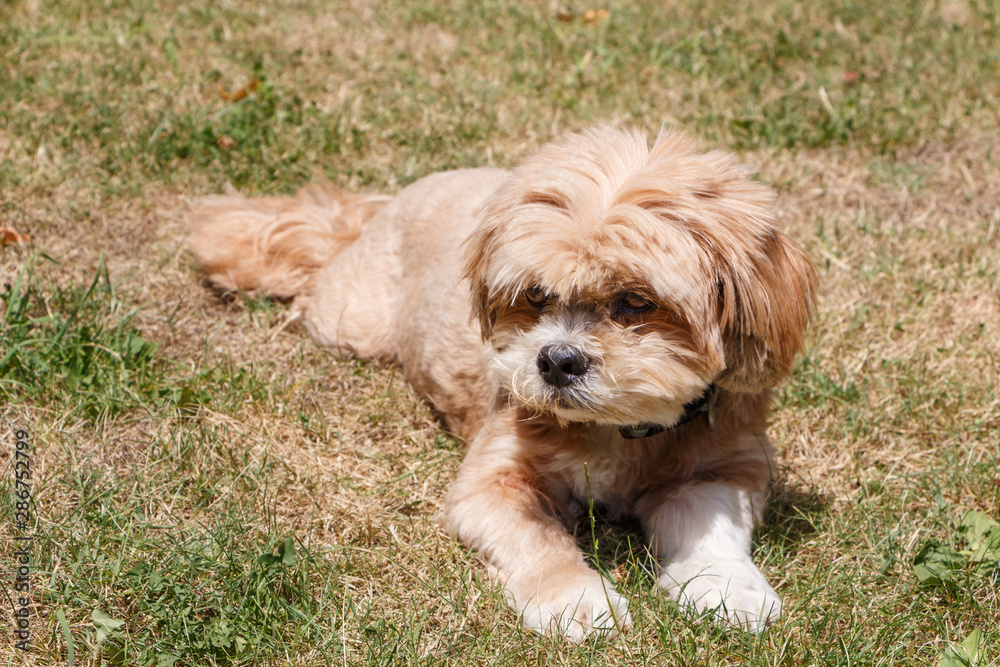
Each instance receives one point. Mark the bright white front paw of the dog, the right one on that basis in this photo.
(735, 589)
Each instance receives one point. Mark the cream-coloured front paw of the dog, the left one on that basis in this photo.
(572, 601)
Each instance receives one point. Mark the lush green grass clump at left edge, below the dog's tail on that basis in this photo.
(80, 346)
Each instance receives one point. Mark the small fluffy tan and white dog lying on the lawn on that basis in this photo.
(602, 324)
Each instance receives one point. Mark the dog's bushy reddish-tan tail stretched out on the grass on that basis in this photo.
(275, 245)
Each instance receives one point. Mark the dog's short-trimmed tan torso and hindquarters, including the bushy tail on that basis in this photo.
(371, 276)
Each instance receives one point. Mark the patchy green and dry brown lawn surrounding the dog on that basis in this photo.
(212, 489)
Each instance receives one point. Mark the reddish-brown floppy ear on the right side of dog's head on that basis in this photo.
(764, 306)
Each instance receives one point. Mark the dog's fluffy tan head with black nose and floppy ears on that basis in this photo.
(616, 282)
